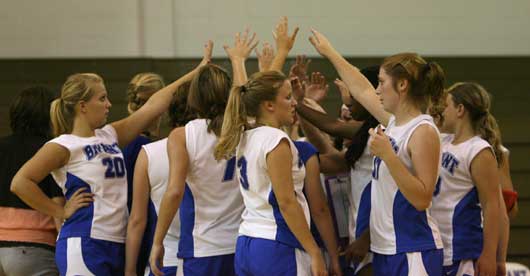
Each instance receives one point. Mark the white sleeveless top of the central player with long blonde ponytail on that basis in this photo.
(262, 217)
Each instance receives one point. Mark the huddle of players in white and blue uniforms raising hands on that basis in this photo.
(429, 201)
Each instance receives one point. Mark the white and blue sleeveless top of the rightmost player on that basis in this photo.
(456, 205)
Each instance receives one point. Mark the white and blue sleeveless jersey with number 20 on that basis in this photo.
(95, 163)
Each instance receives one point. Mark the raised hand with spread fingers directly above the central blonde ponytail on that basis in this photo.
(238, 54)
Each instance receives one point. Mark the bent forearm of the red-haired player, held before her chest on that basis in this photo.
(412, 188)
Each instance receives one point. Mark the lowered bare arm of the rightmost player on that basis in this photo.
(485, 176)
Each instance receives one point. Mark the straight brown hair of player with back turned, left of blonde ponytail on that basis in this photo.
(208, 95)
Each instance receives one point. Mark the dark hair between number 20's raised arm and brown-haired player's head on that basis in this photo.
(179, 113)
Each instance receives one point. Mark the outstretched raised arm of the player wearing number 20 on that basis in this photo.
(130, 127)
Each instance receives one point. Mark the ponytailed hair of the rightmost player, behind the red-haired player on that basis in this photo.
(476, 101)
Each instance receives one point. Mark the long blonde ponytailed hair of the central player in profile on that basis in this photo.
(244, 101)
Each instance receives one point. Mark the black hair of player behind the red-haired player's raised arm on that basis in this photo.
(360, 139)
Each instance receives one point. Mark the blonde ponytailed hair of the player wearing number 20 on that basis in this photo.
(78, 87)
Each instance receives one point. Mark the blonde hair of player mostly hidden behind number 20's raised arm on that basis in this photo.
(142, 82)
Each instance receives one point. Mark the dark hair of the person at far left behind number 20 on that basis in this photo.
(29, 112)
